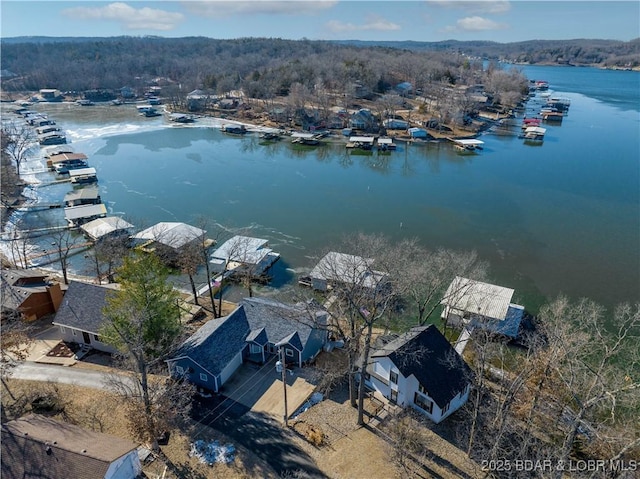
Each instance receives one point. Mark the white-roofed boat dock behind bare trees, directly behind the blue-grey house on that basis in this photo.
(340, 268)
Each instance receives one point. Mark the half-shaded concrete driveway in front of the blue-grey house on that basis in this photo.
(260, 389)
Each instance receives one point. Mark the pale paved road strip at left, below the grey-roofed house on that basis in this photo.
(60, 374)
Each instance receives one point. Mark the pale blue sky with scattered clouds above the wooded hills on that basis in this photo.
(418, 20)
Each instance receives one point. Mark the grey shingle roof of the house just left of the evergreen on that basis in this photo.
(82, 306)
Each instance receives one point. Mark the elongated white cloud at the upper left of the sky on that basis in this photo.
(131, 18)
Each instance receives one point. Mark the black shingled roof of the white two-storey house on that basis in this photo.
(425, 353)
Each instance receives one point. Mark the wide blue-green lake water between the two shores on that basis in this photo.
(563, 217)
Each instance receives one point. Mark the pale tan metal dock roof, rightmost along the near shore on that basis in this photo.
(479, 298)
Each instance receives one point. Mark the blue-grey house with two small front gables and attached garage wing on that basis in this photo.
(257, 330)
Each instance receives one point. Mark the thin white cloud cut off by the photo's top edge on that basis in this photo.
(226, 8)
